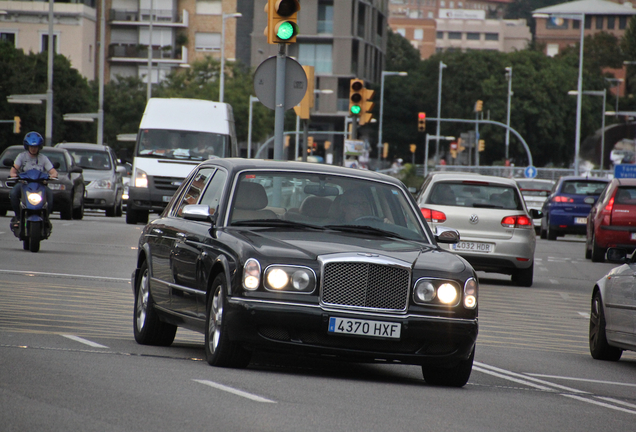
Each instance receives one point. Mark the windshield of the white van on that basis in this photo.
(176, 144)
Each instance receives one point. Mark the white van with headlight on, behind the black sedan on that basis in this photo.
(174, 136)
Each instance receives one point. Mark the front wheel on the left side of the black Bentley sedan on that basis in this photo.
(219, 350)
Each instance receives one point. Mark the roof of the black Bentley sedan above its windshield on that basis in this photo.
(240, 164)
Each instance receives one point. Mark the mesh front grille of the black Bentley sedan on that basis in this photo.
(364, 285)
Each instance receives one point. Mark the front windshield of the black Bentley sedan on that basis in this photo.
(331, 202)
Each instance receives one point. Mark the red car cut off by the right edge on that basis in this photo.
(612, 220)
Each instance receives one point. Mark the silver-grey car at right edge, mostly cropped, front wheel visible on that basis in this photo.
(613, 313)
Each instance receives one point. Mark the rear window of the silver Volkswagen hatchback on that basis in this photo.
(475, 194)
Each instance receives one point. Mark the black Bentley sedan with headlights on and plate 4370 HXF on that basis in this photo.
(305, 258)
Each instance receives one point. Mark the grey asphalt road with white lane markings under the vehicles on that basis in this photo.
(68, 359)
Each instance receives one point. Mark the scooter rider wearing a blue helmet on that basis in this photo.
(28, 160)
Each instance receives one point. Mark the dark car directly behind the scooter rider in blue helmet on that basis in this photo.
(68, 191)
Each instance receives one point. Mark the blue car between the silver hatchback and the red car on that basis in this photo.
(566, 209)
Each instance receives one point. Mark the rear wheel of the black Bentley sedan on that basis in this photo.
(148, 328)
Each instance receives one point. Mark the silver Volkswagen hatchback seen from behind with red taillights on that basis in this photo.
(496, 229)
